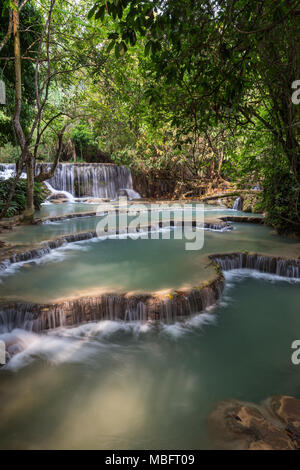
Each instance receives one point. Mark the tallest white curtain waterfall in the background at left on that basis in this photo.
(78, 180)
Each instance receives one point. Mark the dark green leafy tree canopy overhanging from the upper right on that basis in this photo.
(230, 61)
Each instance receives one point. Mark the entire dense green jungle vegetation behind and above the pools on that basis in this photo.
(203, 92)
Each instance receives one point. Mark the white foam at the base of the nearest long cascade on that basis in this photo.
(79, 344)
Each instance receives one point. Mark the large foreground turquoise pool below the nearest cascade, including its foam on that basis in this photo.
(114, 385)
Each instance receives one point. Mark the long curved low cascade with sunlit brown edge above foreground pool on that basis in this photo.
(124, 307)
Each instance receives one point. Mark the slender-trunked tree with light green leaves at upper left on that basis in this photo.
(58, 58)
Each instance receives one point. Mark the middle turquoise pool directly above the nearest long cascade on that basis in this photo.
(120, 265)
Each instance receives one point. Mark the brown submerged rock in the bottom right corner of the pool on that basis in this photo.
(273, 425)
